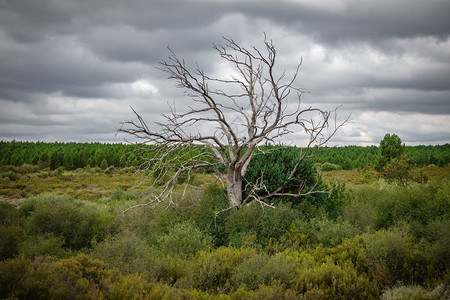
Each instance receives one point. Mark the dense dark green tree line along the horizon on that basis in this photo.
(72, 156)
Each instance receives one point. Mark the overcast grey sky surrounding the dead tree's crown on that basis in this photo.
(70, 70)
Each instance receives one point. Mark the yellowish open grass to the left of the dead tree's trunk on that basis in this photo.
(18, 183)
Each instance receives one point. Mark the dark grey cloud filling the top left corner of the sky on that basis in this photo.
(31, 21)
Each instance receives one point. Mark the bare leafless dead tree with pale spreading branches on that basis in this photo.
(227, 120)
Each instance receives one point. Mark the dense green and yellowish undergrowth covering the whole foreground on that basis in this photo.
(63, 235)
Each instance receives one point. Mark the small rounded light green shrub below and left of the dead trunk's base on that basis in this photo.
(184, 239)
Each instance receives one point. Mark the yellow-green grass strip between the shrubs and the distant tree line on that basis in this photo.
(92, 184)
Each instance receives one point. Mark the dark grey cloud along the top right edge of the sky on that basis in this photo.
(355, 20)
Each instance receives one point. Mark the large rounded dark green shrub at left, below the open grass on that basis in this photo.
(77, 222)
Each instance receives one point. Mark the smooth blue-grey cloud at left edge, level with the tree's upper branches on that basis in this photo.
(59, 65)
